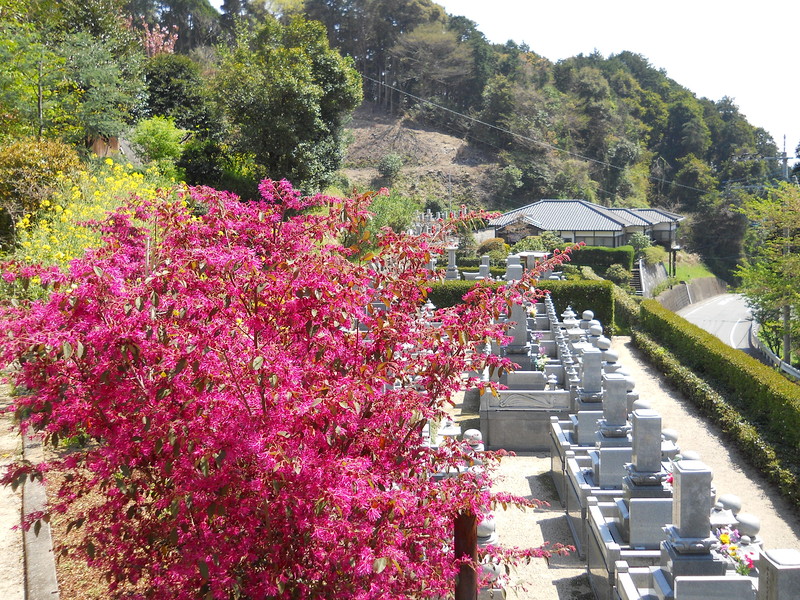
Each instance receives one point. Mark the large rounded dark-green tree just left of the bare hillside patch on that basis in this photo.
(286, 95)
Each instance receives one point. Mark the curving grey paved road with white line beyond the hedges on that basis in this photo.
(726, 316)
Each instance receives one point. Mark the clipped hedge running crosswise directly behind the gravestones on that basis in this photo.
(597, 296)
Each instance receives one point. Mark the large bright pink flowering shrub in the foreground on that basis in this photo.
(255, 400)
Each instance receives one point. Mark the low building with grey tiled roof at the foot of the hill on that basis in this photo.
(583, 221)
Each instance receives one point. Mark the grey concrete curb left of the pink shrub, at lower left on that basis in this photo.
(40, 565)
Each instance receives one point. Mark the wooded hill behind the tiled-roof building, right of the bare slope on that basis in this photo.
(614, 130)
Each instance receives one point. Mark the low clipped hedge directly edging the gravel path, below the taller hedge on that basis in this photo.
(778, 462)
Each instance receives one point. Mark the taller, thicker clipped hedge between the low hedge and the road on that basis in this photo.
(761, 393)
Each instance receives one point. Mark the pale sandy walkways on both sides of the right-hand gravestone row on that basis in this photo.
(527, 474)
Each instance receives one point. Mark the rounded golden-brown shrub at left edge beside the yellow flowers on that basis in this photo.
(29, 172)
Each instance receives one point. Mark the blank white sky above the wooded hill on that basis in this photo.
(749, 51)
